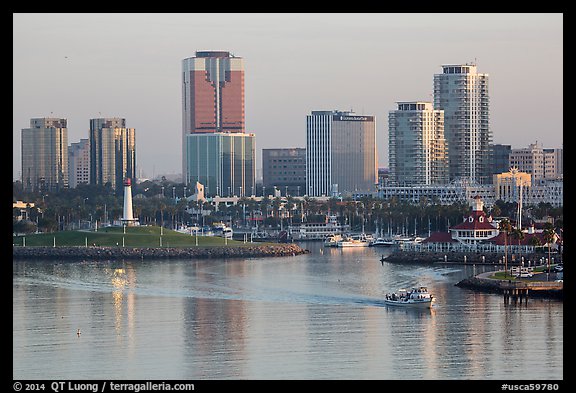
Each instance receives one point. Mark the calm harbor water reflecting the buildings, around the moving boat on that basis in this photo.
(315, 316)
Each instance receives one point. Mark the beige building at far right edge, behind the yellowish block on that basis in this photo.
(540, 163)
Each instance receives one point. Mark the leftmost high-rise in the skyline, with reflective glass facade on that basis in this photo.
(45, 155)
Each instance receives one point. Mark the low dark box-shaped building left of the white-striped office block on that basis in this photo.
(285, 170)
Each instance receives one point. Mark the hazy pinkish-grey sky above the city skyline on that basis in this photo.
(84, 66)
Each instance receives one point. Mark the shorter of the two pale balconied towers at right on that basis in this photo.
(417, 148)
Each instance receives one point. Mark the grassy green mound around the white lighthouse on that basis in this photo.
(143, 236)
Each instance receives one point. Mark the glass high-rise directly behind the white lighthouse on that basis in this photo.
(112, 152)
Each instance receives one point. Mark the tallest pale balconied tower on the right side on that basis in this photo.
(462, 93)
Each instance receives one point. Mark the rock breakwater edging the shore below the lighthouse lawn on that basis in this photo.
(84, 253)
